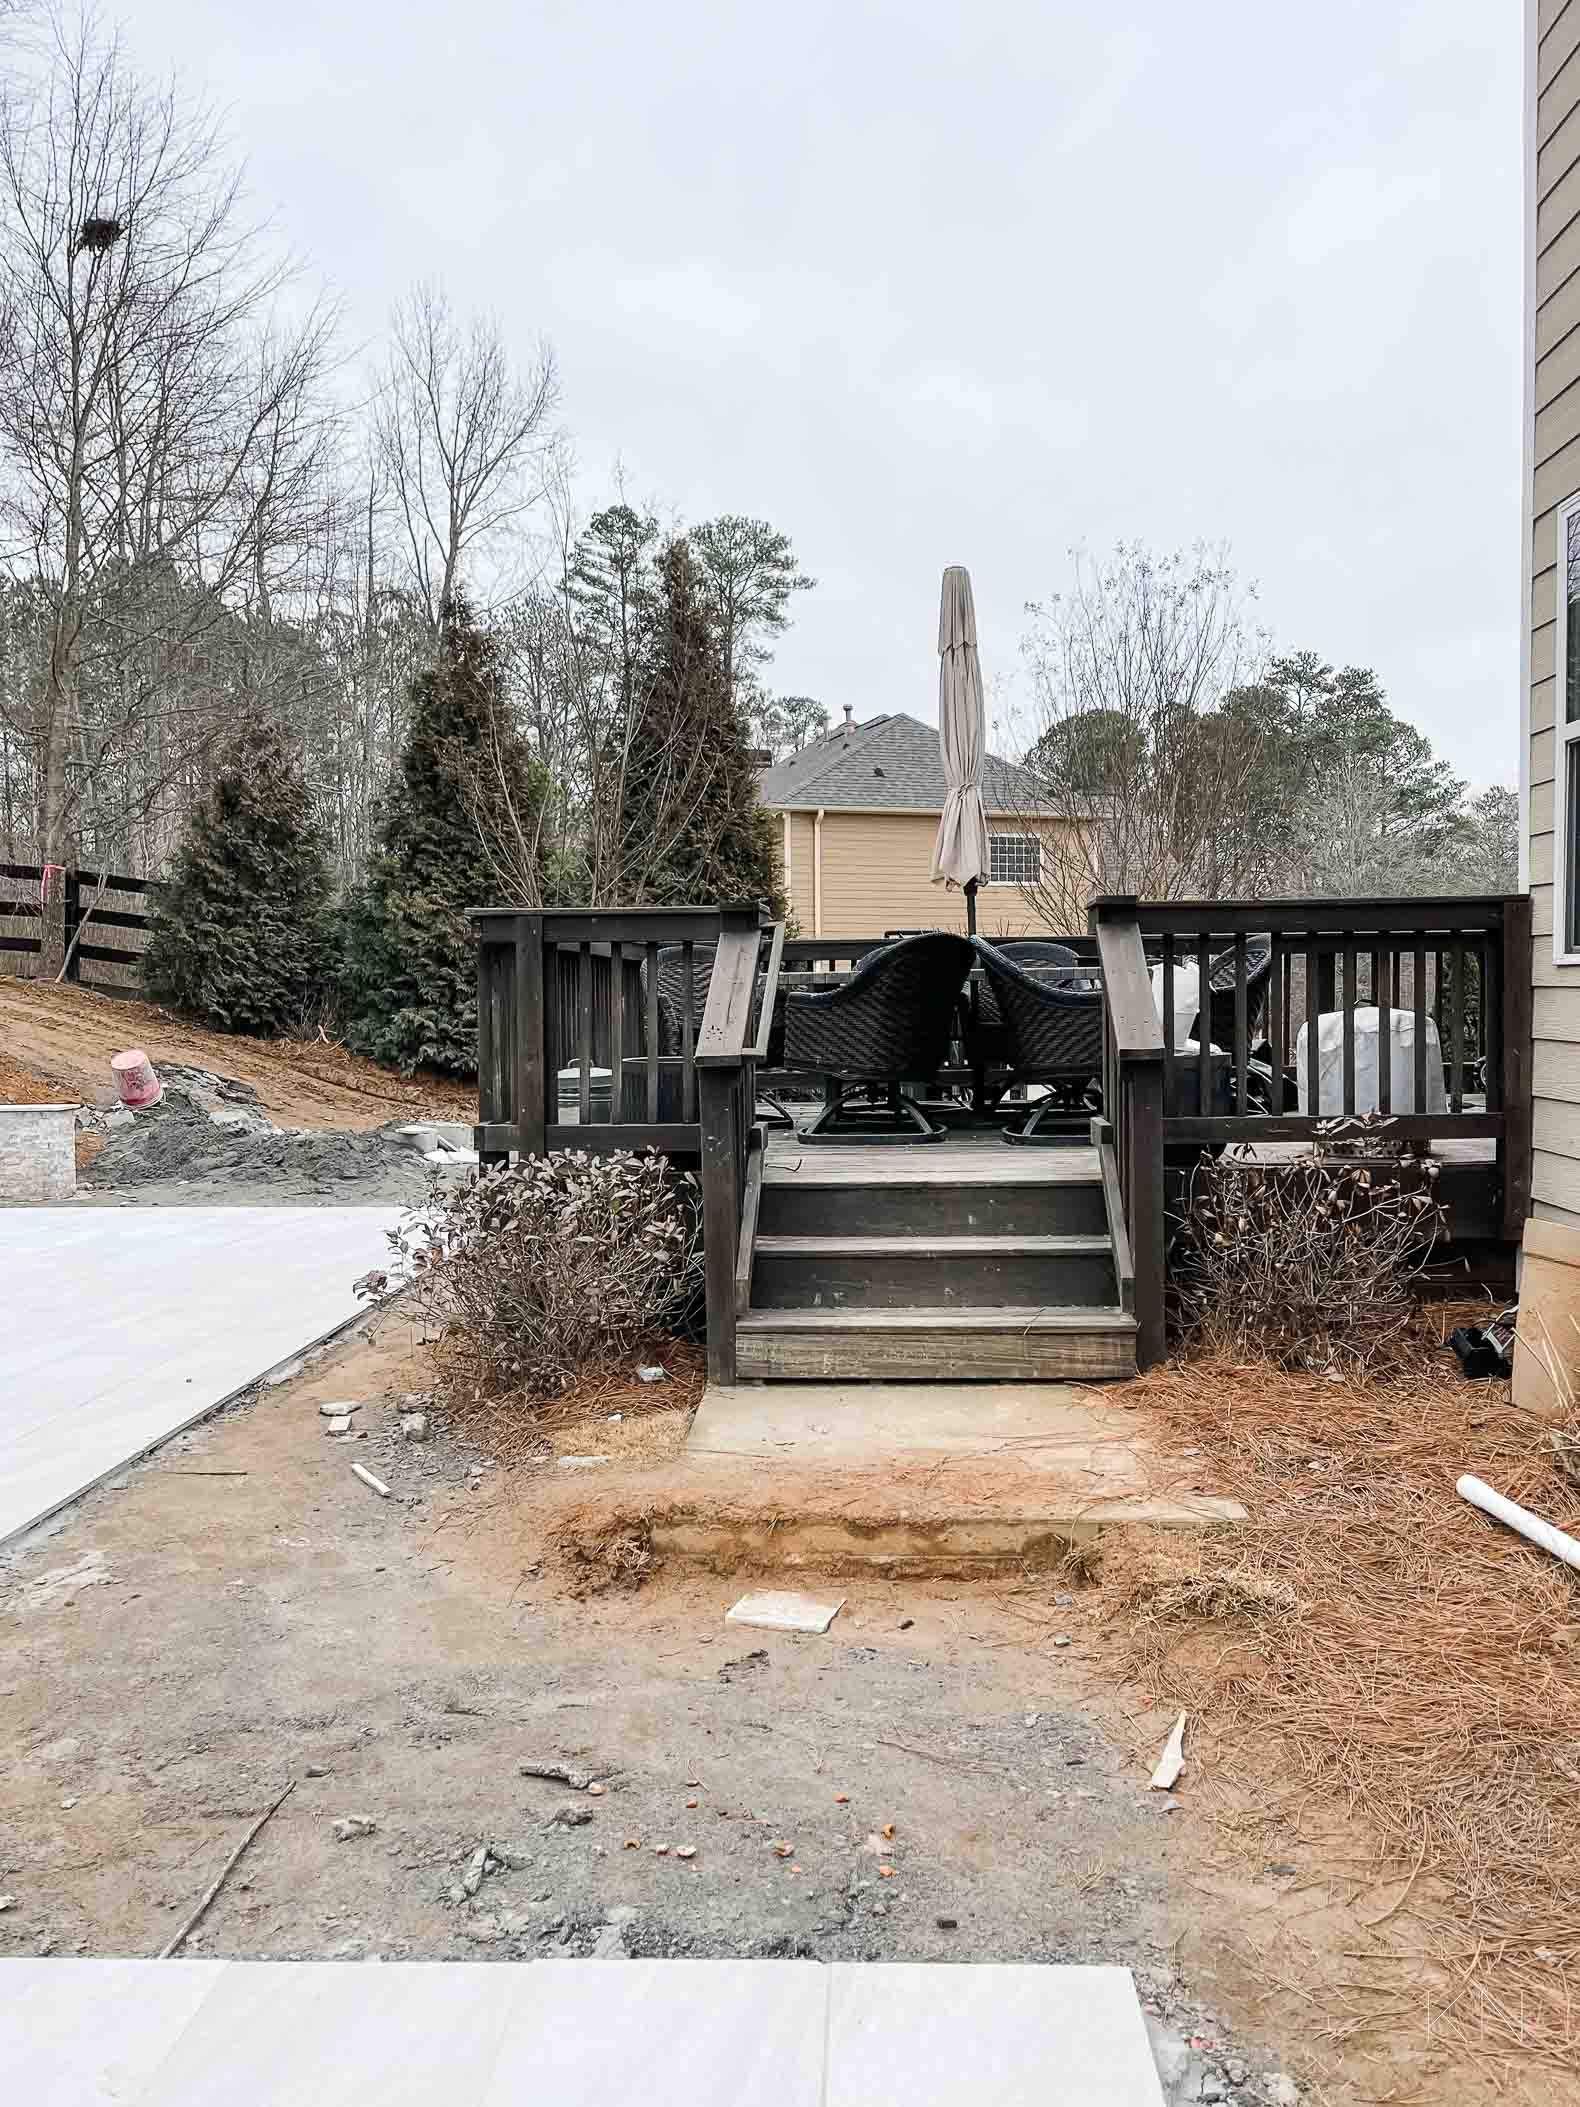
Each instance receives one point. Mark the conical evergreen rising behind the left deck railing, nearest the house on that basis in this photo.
(692, 825)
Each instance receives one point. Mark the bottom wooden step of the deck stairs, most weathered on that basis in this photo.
(995, 1343)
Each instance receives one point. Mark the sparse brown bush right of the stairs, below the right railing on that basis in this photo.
(1305, 1263)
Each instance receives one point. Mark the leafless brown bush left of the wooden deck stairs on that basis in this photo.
(532, 1276)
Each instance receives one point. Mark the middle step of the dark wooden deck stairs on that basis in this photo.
(932, 1272)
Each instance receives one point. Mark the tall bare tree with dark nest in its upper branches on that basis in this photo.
(163, 437)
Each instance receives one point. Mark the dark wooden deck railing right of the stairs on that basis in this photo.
(1459, 964)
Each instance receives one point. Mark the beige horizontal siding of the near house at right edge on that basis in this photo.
(1554, 477)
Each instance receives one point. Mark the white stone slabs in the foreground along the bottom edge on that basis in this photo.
(570, 2034)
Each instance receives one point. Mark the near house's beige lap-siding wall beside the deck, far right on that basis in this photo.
(1552, 635)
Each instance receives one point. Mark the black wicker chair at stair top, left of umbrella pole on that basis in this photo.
(890, 1023)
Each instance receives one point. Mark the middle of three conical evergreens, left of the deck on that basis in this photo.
(458, 829)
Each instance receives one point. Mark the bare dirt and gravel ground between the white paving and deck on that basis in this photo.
(243, 1613)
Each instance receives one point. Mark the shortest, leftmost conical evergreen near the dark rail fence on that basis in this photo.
(239, 930)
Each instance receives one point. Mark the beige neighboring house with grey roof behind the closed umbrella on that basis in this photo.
(858, 814)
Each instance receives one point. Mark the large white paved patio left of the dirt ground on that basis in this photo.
(123, 1326)
